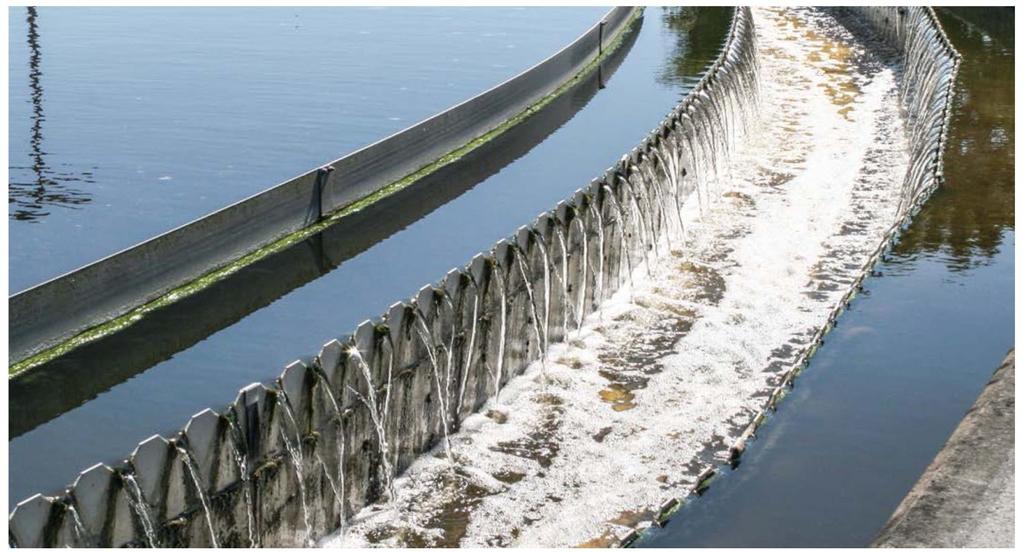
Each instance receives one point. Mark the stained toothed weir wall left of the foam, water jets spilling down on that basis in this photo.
(288, 463)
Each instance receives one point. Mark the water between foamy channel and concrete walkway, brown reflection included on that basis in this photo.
(908, 360)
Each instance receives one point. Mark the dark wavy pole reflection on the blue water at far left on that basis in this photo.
(33, 190)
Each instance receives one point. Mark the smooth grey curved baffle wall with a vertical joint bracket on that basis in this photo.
(58, 310)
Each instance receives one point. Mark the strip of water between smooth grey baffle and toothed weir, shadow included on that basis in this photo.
(199, 354)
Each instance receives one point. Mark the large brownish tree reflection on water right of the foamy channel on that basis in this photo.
(964, 223)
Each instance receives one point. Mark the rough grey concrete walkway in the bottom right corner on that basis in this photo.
(965, 498)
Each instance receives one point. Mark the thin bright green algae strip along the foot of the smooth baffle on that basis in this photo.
(130, 318)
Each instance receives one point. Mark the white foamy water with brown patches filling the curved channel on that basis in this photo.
(662, 380)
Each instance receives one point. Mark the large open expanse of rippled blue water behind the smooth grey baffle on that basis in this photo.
(127, 123)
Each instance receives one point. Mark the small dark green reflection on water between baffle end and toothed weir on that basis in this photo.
(698, 39)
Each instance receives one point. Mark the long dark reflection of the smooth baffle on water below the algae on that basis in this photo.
(92, 370)
